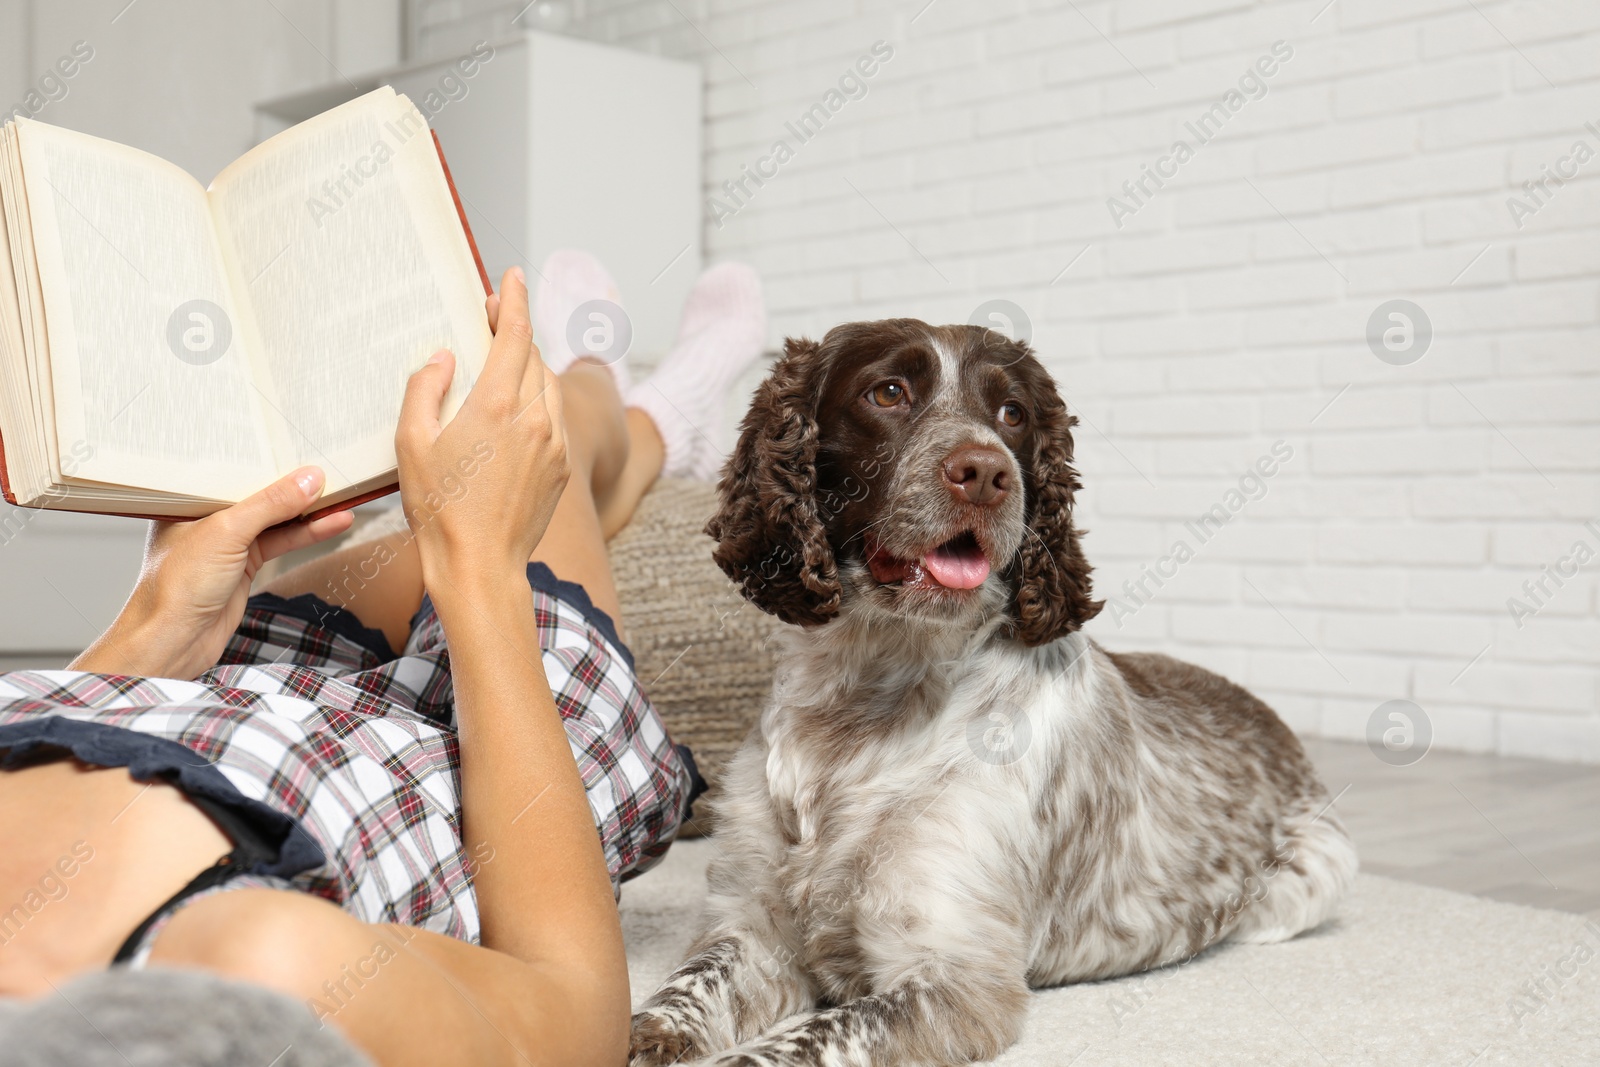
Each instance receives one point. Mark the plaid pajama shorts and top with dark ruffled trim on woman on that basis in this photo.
(342, 756)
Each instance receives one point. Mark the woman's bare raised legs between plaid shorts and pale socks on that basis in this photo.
(615, 457)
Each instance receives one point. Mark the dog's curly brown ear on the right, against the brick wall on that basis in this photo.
(1050, 578)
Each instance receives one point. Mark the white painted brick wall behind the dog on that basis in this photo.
(1223, 318)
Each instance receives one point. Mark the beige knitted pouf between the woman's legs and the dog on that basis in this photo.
(703, 652)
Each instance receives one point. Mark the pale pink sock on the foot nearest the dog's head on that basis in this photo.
(721, 335)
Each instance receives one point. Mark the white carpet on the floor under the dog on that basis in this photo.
(1407, 975)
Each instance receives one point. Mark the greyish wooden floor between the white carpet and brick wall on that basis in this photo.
(1521, 831)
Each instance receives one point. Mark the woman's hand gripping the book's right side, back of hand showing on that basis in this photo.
(481, 492)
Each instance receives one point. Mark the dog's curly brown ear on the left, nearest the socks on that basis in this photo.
(769, 529)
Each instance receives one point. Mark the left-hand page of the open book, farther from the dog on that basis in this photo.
(151, 377)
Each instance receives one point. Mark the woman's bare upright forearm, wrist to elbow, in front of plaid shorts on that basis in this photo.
(542, 881)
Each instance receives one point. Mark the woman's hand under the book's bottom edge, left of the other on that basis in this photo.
(196, 578)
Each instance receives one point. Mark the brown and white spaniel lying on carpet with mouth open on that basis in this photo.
(954, 794)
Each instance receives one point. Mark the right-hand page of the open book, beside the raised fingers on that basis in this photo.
(353, 268)
